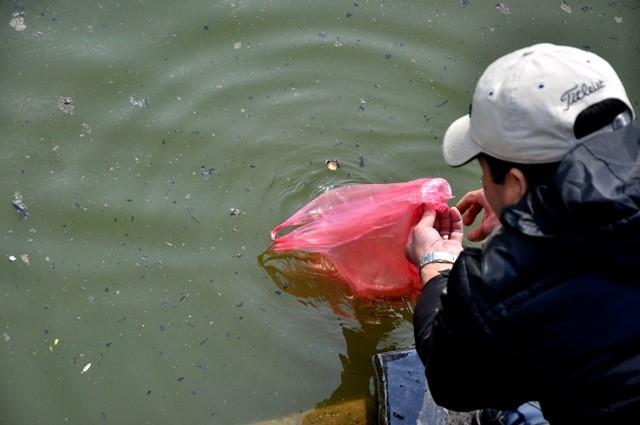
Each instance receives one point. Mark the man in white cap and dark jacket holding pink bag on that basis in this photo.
(549, 308)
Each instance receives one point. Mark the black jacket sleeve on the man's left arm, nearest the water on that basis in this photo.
(466, 368)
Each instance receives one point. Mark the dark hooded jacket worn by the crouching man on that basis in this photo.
(549, 309)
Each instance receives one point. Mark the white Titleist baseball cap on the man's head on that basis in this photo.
(526, 103)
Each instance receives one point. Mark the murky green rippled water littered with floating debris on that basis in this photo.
(196, 127)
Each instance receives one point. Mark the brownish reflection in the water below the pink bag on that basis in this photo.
(365, 323)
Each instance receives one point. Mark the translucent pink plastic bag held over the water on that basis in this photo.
(362, 230)
